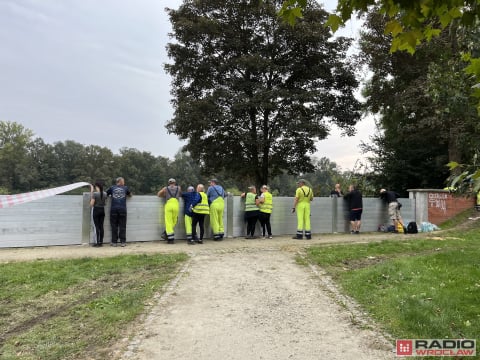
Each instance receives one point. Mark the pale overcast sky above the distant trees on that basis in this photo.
(92, 71)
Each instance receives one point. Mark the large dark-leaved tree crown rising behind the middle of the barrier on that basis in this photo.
(251, 94)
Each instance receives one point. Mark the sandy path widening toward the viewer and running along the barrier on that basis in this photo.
(243, 299)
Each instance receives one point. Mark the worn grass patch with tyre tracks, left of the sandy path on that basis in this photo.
(76, 309)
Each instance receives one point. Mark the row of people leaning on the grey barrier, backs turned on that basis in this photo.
(198, 203)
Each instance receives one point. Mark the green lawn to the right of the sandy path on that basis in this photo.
(417, 288)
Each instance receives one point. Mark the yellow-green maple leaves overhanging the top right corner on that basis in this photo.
(410, 22)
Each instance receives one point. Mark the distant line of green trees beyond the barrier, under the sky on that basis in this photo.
(27, 164)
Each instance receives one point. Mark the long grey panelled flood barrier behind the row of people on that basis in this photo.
(66, 219)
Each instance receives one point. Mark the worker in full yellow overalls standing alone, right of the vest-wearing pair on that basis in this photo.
(301, 205)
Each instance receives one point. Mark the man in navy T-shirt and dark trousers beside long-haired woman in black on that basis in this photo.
(118, 211)
